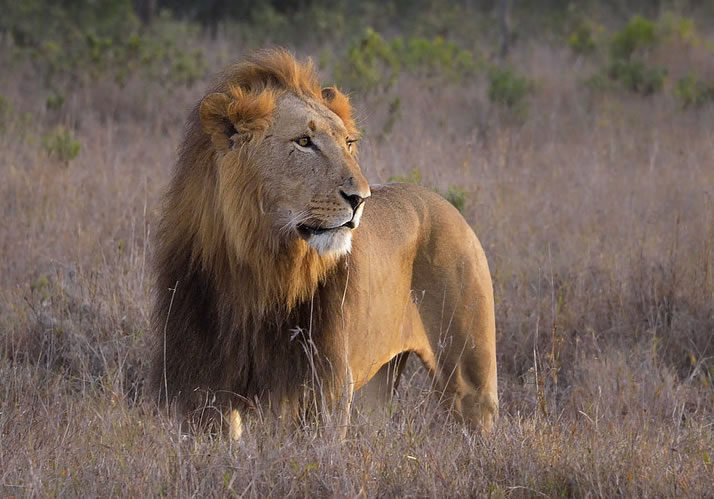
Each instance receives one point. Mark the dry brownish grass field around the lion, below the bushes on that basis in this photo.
(596, 214)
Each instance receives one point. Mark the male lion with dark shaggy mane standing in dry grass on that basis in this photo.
(284, 279)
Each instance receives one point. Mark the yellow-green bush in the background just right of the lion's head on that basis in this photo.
(373, 63)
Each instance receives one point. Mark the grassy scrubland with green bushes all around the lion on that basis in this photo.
(577, 141)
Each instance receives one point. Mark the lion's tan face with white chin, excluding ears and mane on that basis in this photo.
(310, 157)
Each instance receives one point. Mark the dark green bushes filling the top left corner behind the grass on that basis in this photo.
(69, 41)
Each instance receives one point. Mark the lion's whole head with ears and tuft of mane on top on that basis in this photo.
(288, 148)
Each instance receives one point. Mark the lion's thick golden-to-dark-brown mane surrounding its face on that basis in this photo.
(213, 235)
